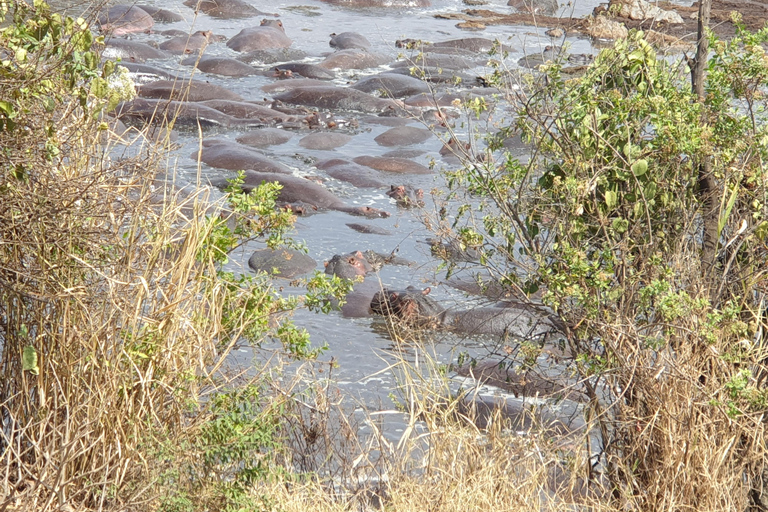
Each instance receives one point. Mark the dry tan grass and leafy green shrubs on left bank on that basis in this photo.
(117, 313)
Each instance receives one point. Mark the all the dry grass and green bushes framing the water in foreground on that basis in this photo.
(638, 223)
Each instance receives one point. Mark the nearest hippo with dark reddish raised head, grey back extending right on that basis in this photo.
(416, 308)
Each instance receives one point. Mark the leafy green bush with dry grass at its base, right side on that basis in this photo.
(603, 223)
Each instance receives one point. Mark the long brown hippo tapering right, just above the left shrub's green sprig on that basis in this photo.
(297, 189)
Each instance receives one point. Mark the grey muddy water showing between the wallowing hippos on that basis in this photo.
(362, 348)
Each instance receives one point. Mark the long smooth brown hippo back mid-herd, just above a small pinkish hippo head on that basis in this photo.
(337, 98)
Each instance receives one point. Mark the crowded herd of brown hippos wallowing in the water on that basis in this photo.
(312, 97)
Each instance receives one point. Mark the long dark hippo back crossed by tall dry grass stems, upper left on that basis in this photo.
(181, 113)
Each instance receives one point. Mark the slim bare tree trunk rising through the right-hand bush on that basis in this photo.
(707, 185)
